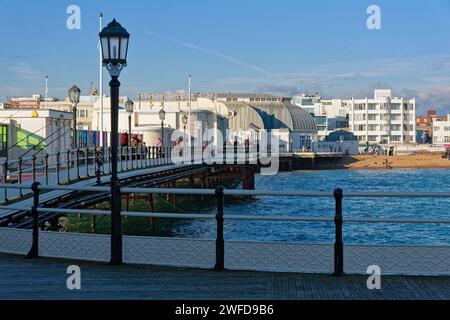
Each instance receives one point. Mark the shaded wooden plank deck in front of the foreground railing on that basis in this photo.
(21, 278)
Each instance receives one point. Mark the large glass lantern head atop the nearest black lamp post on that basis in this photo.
(114, 41)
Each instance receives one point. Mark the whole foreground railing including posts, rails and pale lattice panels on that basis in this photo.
(430, 260)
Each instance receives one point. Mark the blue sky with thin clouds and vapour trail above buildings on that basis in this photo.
(284, 47)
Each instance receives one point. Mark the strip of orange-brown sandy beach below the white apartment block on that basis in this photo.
(415, 161)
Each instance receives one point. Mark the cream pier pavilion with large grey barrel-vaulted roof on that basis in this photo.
(237, 117)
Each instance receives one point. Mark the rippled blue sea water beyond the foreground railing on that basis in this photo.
(399, 180)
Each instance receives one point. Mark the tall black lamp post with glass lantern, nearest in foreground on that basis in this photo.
(114, 40)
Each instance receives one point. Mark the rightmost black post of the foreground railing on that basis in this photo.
(338, 244)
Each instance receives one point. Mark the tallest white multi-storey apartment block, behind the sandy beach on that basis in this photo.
(383, 120)
